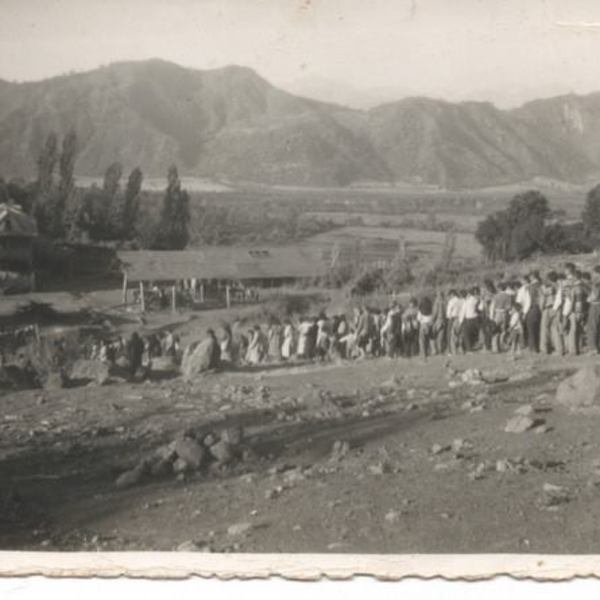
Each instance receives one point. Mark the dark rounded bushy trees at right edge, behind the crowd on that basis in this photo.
(528, 226)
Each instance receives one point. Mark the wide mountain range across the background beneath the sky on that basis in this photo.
(231, 124)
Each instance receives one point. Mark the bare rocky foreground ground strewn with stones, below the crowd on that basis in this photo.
(469, 454)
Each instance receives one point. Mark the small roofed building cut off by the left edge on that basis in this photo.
(17, 234)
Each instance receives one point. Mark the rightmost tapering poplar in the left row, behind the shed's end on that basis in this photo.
(172, 230)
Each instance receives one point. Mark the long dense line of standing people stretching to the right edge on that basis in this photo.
(558, 313)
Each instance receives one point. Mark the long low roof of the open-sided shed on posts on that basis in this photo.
(224, 262)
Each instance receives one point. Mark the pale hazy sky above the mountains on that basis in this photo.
(360, 51)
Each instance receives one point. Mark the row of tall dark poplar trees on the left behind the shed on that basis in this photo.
(109, 213)
